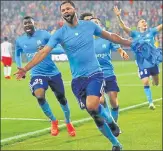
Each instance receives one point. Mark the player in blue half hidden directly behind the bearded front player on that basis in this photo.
(103, 52)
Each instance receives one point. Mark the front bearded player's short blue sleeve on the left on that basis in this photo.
(55, 39)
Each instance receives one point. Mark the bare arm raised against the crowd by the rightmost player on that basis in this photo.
(121, 23)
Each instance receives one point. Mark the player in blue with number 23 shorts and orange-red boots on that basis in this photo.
(44, 74)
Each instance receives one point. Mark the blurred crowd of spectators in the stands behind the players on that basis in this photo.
(47, 15)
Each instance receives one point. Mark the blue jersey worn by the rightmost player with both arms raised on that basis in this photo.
(148, 36)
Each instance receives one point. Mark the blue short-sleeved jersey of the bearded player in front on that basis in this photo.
(78, 43)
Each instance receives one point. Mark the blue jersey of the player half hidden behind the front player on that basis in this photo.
(103, 50)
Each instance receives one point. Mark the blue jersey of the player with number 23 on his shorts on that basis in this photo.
(30, 45)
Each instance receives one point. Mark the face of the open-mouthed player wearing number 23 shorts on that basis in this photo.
(28, 26)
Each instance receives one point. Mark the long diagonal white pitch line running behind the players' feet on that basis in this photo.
(63, 125)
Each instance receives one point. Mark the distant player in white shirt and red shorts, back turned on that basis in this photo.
(6, 57)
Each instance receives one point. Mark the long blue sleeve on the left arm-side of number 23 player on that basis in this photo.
(18, 51)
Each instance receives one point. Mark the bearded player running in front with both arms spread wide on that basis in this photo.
(76, 37)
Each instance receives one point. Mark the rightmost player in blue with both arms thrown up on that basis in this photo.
(147, 68)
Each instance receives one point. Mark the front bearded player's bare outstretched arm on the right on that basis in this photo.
(115, 38)
